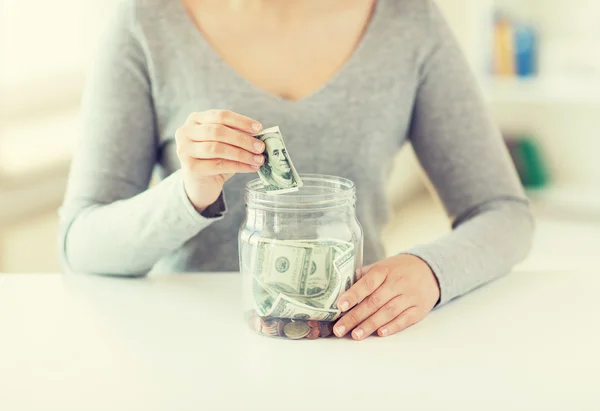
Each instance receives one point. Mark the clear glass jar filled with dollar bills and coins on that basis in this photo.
(298, 253)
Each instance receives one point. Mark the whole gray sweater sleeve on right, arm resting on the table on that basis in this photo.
(463, 154)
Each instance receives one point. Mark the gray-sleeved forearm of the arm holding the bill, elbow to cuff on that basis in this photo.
(127, 237)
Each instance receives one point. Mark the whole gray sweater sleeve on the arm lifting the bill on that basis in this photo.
(111, 222)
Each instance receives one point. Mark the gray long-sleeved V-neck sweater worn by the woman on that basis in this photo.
(406, 81)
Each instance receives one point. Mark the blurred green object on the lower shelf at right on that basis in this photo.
(529, 161)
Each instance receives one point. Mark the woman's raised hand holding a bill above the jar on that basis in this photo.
(212, 146)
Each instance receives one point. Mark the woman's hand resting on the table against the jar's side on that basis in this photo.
(390, 296)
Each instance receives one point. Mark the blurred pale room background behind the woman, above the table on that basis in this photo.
(537, 61)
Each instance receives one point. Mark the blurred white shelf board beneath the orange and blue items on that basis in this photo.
(549, 90)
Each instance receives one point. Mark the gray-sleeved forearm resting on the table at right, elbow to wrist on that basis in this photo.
(485, 246)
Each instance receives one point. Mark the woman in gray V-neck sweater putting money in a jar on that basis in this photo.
(183, 85)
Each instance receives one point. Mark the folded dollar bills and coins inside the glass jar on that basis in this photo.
(296, 284)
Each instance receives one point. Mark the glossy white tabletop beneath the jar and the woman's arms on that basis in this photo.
(529, 341)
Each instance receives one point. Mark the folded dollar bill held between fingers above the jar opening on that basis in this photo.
(278, 173)
